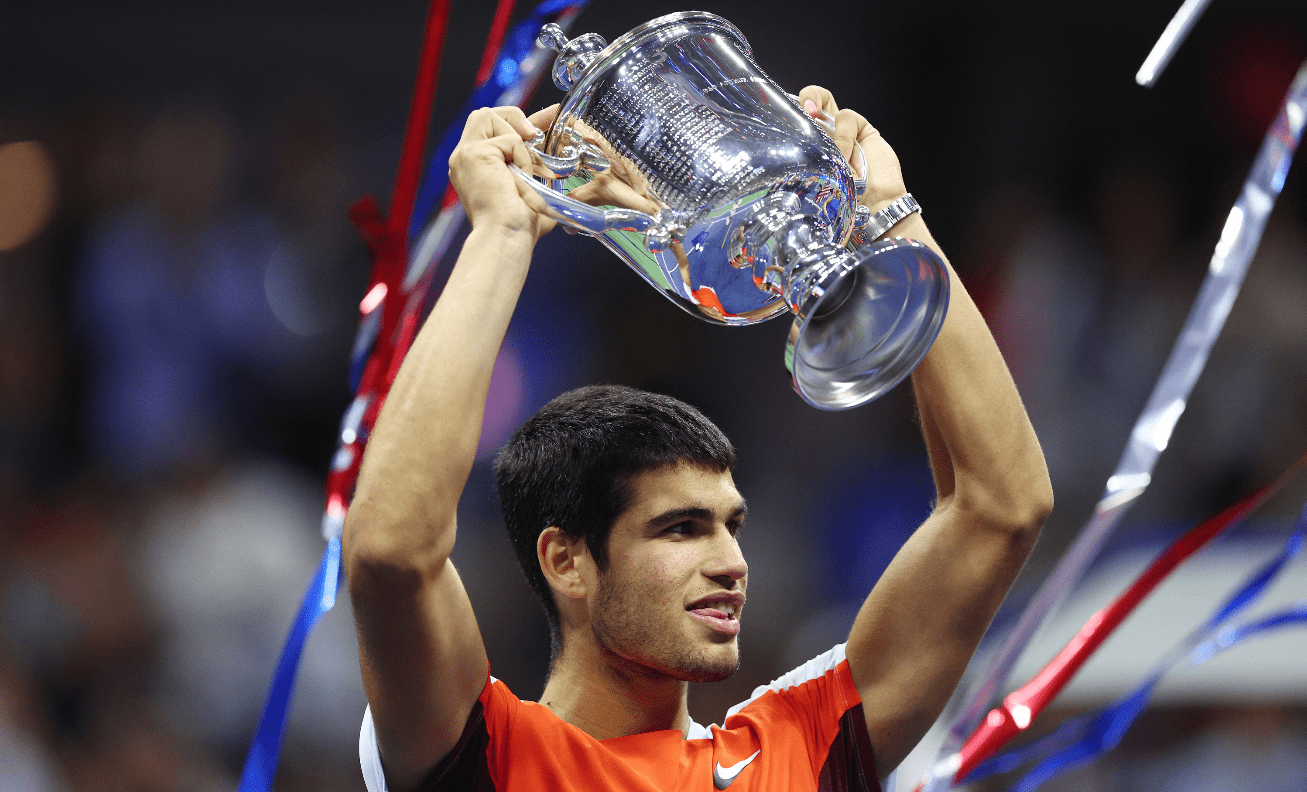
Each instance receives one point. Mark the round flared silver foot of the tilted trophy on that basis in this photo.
(869, 325)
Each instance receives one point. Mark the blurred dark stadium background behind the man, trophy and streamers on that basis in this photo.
(180, 288)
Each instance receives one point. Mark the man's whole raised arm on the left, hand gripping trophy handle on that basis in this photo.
(423, 659)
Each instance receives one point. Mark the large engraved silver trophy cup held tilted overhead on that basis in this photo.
(759, 210)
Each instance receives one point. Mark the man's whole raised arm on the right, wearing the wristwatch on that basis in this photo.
(926, 616)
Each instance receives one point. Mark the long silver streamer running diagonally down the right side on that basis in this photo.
(1152, 432)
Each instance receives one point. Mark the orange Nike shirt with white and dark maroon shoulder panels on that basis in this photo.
(804, 733)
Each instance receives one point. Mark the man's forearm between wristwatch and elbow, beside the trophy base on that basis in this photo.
(985, 454)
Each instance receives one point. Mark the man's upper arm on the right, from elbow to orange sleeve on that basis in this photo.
(922, 623)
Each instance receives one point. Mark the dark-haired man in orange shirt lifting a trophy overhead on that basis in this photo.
(625, 516)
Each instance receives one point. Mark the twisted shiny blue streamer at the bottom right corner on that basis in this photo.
(1085, 738)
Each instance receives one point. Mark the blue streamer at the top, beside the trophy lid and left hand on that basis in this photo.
(517, 46)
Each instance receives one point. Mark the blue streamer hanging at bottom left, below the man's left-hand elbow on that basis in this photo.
(266, 751)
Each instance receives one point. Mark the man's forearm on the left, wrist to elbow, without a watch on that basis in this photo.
(425, 440)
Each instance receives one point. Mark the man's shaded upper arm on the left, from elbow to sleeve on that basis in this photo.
(423, 661)
